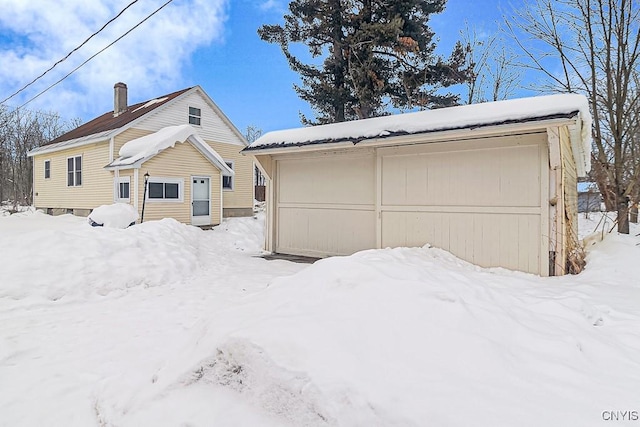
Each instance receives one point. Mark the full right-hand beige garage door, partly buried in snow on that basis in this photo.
(481, 204)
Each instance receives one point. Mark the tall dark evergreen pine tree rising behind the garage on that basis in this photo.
(376, 54)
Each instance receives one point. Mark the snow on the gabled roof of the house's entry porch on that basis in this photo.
(139, 150)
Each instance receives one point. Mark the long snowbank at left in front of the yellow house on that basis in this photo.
(81, 261)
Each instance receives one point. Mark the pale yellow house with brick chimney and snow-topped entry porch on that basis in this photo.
(177, 156)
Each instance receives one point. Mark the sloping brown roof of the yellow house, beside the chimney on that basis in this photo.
(107, 121)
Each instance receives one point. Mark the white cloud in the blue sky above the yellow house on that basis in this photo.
(34, 34)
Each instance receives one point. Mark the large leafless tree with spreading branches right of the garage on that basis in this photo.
(593, 47)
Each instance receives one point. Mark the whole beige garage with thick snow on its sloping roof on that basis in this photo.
(493, 183)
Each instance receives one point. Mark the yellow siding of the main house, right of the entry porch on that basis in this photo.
(242, 194)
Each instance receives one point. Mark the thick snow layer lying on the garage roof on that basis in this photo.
(444, 119)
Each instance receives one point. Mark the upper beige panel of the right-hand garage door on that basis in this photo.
(500, 176)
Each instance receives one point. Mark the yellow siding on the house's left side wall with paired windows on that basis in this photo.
(97, 183)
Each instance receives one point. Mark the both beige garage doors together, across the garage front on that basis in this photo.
(481, 199)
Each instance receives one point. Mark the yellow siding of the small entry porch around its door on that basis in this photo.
(182, 162)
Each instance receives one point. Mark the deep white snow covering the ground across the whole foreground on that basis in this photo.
(162, 324)
